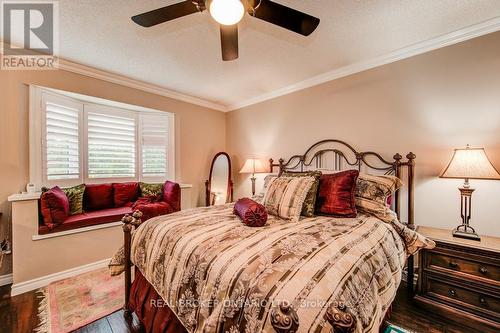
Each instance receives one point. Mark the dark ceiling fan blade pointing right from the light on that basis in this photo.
(284, 17)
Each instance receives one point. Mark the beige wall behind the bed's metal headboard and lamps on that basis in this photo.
(428, 104)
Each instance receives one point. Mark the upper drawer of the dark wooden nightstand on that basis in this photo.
(449, 262)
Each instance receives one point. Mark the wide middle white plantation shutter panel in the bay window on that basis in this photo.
(111, 142)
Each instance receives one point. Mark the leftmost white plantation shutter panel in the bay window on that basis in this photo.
(61, 142)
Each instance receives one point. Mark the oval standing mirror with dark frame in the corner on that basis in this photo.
(219, 186)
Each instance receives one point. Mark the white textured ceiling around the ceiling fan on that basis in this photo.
(184, 55)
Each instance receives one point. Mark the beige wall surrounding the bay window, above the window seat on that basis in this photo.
(200, 132)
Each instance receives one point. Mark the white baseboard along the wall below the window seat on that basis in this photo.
(43, 281)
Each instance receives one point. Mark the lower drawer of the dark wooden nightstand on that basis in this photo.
(464, 296)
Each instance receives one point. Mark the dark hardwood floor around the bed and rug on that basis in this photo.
(19, 315)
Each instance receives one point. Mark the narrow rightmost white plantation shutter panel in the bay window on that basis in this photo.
(154, 143)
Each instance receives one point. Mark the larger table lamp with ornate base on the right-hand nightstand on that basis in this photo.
(468, 163)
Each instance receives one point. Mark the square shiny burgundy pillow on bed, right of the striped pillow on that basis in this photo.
(336, 194)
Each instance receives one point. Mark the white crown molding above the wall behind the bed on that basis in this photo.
(451, 38)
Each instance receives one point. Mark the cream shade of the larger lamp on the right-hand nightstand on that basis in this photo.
(470, 163)
